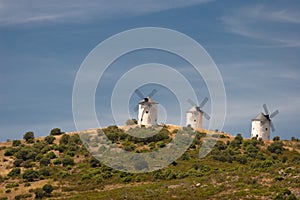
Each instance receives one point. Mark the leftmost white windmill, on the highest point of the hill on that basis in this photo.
(147, 109)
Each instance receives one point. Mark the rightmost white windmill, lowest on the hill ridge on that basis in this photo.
(260, 126)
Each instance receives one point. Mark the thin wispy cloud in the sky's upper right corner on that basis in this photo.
(277, 26)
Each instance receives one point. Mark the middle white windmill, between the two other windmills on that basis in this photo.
(195, 114)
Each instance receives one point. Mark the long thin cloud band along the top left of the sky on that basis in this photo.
(19, 12)
